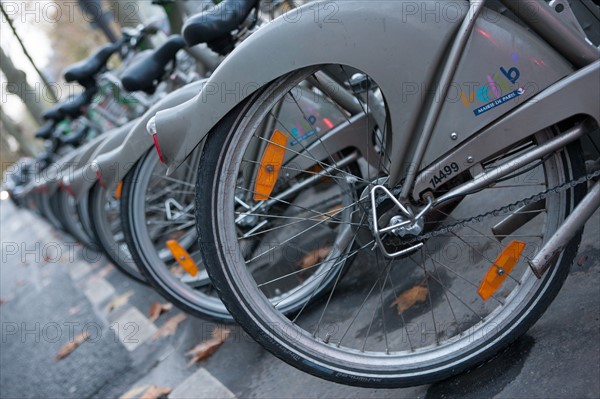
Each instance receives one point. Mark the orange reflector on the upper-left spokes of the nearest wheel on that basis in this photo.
(270, 165)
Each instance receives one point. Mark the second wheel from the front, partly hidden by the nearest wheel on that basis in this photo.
(158, 209)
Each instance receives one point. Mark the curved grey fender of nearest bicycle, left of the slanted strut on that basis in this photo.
(350, 32)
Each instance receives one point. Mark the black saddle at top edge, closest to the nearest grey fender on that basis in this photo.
(214, 25)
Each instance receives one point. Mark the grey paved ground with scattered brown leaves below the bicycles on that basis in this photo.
(52, 290)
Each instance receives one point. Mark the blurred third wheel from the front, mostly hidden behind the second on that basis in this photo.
(106, 224)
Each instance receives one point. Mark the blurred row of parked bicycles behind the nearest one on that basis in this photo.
(142, 219)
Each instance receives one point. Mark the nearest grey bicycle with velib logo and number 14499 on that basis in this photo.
(365, 208)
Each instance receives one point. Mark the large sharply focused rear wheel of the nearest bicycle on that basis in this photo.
(410, 320)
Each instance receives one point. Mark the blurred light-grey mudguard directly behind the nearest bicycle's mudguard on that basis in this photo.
(114, 165)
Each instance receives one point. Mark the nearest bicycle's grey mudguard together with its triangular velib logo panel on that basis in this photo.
(400, 44)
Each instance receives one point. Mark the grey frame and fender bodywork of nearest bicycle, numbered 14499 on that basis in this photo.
(426, 125)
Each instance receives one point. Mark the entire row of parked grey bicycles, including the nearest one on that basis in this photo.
(327, 186)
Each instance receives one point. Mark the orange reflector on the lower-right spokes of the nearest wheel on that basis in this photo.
(500, 269)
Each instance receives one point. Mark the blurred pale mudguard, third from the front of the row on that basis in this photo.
(84, 177)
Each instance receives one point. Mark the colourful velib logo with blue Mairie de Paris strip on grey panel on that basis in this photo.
(499, 89)
